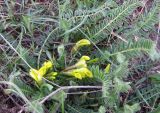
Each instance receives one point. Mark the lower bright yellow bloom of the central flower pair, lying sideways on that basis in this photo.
(81, 73)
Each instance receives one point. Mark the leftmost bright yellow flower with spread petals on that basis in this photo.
(37, 75)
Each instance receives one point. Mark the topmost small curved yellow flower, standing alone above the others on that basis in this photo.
(81, 43)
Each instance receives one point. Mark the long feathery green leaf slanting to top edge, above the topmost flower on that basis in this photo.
(114, 19)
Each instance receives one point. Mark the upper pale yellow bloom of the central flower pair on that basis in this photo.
(82, 62)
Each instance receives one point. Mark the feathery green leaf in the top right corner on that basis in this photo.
(145, 22)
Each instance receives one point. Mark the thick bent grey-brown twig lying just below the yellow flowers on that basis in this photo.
(68, 87)
